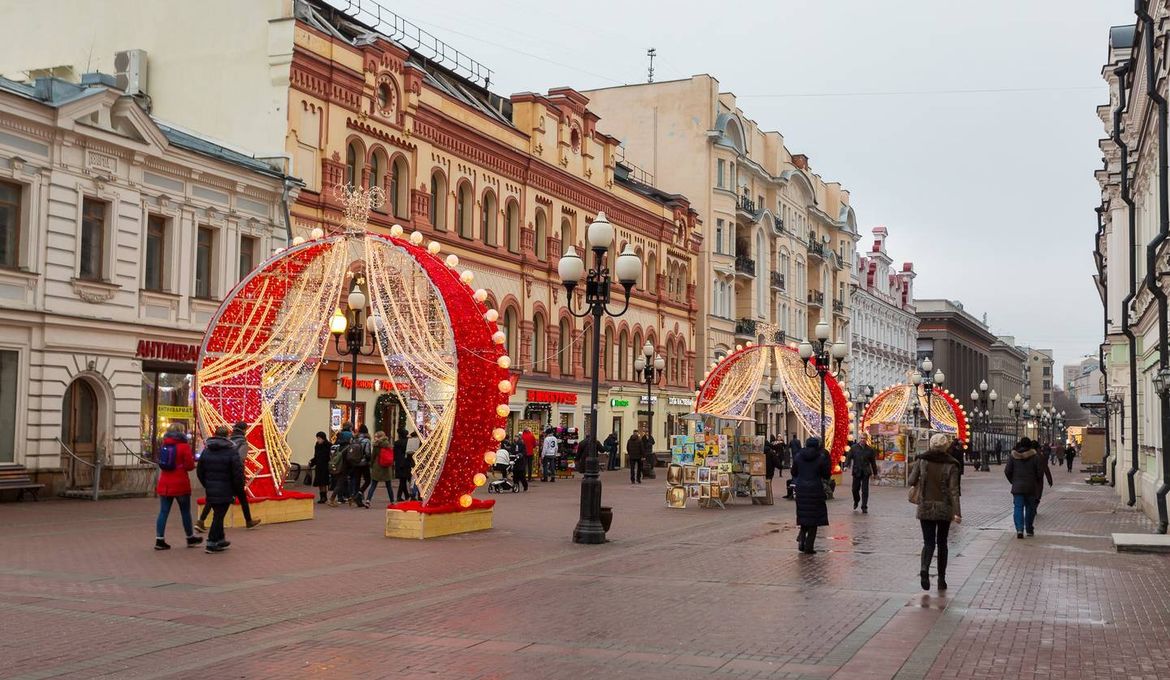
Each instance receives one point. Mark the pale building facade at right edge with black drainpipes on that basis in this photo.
(1133, 253)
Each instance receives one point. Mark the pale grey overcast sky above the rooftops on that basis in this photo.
(989, 194)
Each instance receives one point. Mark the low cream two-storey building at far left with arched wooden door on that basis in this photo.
(119, 237)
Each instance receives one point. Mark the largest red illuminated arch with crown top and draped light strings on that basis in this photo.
(439, 344)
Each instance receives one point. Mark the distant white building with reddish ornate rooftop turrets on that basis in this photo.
(885, 328)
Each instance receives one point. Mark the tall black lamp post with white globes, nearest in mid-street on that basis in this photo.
(597, 305)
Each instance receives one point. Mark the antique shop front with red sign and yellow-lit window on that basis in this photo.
(168, 391)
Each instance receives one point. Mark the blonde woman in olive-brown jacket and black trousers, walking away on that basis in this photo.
(934, 482)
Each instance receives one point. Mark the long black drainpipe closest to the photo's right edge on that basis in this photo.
(1152, 255)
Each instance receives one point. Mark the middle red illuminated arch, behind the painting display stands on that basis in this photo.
(732, 387)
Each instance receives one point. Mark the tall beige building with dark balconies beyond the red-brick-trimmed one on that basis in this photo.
(779, 241)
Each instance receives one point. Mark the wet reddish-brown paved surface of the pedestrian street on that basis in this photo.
(676, 594)
